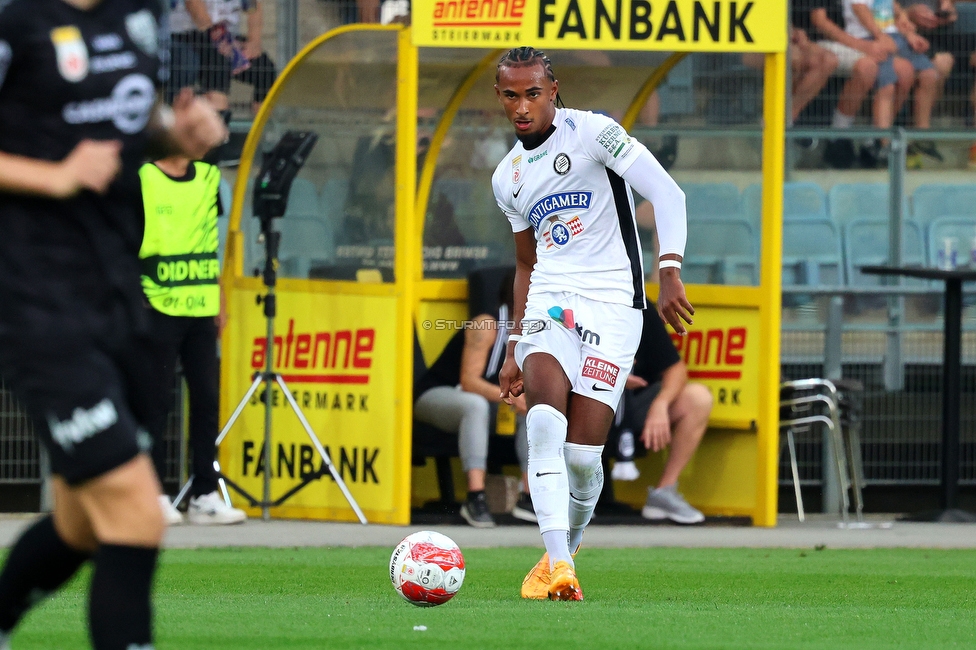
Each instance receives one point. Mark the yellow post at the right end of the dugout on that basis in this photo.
(774, 116)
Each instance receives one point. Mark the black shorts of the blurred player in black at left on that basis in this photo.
(86, 399)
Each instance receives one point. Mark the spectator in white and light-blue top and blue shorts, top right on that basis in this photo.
(882, 21)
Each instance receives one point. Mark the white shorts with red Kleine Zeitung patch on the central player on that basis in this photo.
(594, 342)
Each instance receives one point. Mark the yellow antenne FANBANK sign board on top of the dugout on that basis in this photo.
(663, 25)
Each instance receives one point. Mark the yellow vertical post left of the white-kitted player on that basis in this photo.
(408, 263)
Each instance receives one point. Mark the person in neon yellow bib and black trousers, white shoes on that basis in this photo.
(180, 277)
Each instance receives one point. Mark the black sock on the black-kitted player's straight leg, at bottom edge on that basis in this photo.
(119, 611)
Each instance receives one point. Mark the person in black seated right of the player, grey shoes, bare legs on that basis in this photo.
(668, 411)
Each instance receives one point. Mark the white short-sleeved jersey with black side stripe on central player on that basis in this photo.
(571, 191)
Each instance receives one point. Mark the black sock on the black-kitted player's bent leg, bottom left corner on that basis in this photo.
(38, 564)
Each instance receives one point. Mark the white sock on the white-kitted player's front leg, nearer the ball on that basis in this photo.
(548, 483)
